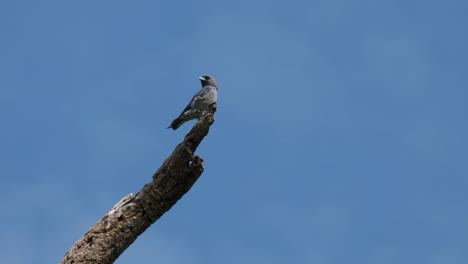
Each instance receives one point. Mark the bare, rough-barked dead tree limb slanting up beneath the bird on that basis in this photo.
(132, 215)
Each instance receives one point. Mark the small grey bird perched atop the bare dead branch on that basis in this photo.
(199, 103)
